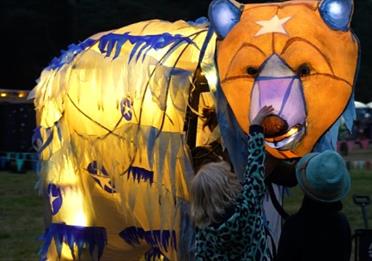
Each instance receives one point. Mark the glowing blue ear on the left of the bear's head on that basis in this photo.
(223, 16)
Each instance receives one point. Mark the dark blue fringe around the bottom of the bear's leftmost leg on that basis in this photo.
(82, 237)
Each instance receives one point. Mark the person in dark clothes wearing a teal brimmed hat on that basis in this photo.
(319, 231)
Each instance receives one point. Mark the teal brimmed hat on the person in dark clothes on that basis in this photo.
(323, 176)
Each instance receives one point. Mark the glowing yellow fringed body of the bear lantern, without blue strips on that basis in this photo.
(84, 97)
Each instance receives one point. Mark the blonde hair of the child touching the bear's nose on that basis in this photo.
(213, 190)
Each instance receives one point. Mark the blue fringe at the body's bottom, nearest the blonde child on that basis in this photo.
(155, 238)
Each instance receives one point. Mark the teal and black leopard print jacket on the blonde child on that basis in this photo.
(242, 236)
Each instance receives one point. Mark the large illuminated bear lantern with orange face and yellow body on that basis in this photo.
(113, 114)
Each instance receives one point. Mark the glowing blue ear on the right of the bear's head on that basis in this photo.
(337, 13)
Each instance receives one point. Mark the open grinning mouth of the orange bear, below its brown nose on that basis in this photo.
(288, 140)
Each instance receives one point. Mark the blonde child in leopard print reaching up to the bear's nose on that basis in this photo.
(229, 215)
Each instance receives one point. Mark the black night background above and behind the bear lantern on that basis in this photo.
(34, 31)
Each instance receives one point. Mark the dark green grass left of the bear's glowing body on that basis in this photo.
(21, 217)
